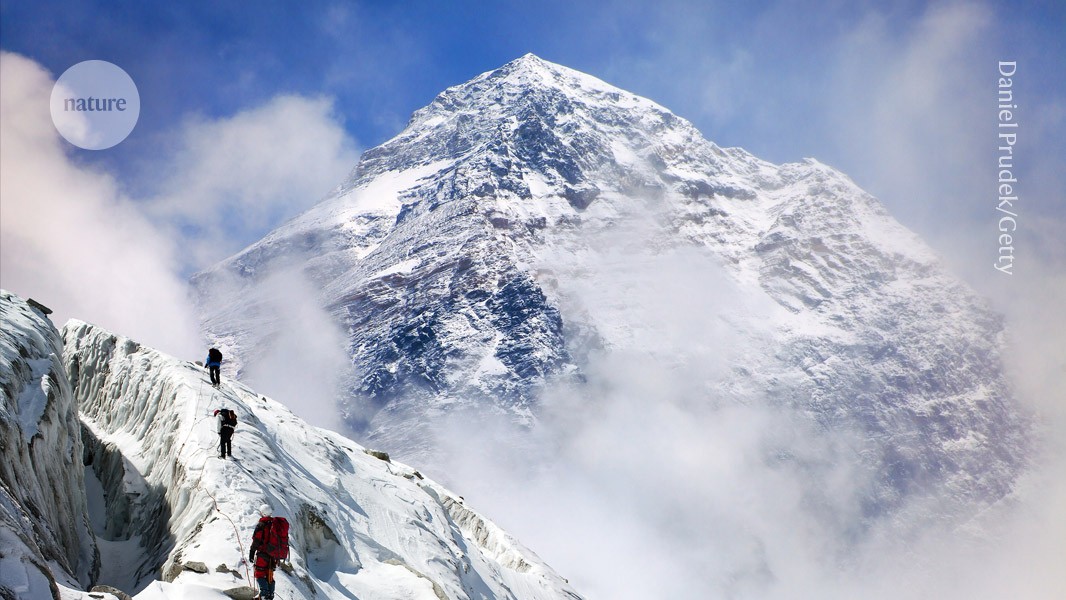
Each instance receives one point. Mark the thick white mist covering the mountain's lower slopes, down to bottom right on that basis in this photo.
(653, 479)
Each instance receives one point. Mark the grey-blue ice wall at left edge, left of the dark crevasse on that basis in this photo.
(45, 534)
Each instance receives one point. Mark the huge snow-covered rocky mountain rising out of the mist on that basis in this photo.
(453, 254)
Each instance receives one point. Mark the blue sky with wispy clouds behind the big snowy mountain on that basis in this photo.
(900, 96)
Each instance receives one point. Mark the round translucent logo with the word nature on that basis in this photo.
(95, 105)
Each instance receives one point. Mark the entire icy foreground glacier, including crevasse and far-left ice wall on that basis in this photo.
(121, 485)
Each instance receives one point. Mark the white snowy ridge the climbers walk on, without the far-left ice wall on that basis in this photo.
(362, 526)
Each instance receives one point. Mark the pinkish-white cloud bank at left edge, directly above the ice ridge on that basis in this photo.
(70, 238)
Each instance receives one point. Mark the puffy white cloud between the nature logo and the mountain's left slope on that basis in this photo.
(233, 180)
